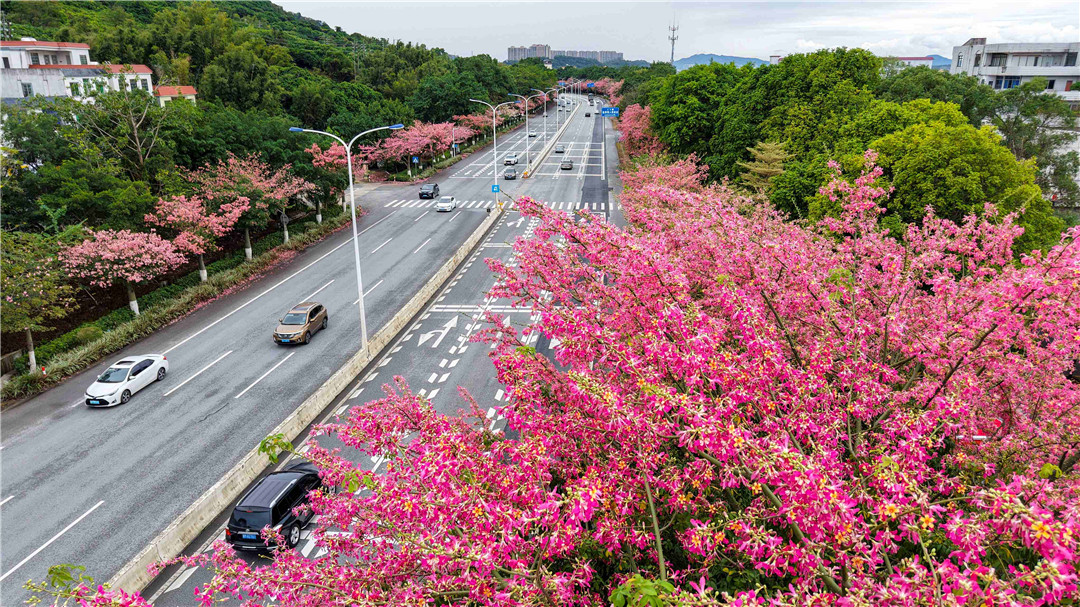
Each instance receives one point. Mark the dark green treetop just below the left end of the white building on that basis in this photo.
(975, 99)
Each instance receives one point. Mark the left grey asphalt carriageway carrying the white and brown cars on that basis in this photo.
(94, 487)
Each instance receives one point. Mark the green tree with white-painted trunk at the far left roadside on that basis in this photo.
(34, 289)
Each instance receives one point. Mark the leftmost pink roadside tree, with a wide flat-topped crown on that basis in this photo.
(111, 258)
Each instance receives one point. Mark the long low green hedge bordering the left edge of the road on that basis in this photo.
(87, 344)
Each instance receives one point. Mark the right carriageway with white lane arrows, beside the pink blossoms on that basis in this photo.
(435, 354)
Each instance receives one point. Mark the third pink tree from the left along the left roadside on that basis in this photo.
(269, 192)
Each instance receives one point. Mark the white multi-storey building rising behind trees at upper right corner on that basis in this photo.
(1005, 66)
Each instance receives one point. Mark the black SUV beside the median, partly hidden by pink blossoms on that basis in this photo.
(271, 504)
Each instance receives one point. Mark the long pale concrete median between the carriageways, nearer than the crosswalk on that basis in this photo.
(134, 577)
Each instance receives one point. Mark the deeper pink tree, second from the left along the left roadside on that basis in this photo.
(198, 224)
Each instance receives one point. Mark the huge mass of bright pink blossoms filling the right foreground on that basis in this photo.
(746, 412)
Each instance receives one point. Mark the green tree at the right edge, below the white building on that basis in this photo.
(1042, 127)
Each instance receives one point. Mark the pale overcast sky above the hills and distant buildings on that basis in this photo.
(757, 30)
